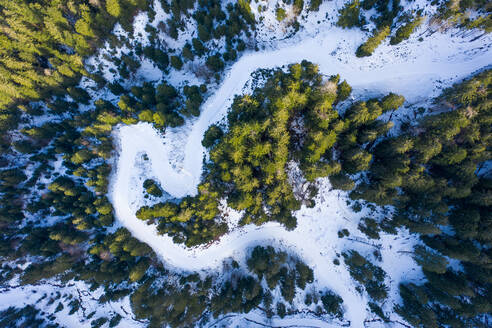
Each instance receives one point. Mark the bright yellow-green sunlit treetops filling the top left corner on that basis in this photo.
(43, 44)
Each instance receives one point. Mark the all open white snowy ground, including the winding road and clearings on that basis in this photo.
(416, 69)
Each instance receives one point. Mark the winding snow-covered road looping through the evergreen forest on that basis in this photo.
(415, 69)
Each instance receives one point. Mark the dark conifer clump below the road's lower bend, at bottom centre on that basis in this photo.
(196, 299)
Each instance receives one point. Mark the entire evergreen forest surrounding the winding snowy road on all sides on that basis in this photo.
(57, 148)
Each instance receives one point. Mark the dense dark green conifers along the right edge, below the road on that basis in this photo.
(430, 174)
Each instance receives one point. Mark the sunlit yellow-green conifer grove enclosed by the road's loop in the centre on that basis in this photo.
(248, 163)
